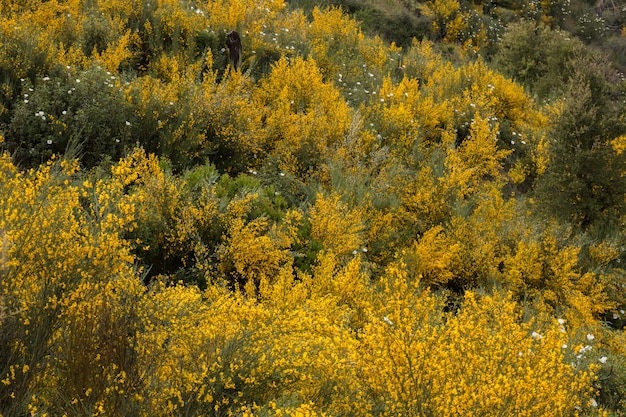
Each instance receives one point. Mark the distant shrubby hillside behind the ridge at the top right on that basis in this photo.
(599, 25)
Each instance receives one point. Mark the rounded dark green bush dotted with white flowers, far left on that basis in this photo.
(84, 109)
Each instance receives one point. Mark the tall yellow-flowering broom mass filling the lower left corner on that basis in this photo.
(64, 249)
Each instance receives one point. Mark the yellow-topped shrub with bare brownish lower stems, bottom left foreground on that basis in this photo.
(96, 332)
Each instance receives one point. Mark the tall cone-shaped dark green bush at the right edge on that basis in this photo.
(583, 182)
